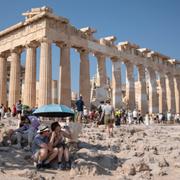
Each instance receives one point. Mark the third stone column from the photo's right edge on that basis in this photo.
(162, 94)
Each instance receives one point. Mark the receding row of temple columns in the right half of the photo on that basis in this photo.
(168, 98)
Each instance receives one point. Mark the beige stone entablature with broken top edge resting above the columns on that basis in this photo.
(45, 24)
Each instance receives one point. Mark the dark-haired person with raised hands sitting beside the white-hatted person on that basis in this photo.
(58, 140)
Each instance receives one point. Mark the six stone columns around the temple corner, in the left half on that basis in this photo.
(47, 94)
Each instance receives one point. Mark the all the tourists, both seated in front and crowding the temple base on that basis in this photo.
(51, 143)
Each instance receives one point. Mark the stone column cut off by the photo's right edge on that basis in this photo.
(177, 92)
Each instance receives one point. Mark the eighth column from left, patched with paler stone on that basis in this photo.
(116, 84)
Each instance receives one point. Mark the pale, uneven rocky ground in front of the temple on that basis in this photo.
(135, 152)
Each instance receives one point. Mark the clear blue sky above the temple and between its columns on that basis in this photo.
(154, 24)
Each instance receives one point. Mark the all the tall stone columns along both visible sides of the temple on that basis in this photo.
(169, 88)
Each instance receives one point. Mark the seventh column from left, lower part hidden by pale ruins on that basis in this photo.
(101, 70)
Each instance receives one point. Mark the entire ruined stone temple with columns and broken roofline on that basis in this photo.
(41, 28)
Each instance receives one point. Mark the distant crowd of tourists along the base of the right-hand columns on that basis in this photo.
(127, 116)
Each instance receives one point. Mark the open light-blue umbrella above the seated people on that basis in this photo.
(54, 110)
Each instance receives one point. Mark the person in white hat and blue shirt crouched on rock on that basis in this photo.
(43, 152)
